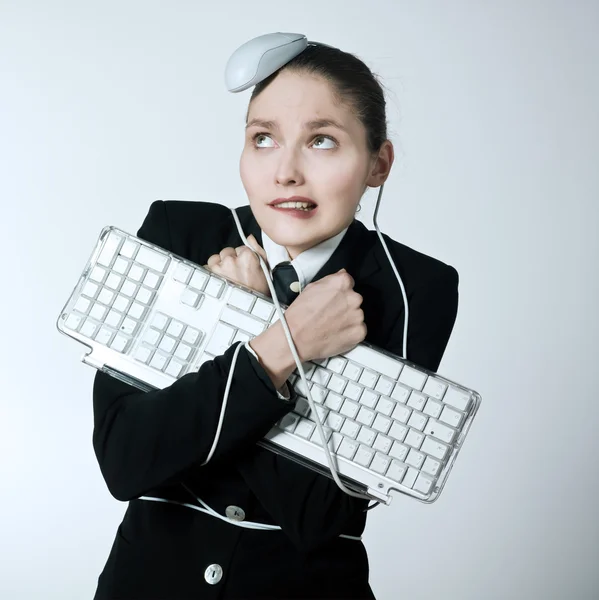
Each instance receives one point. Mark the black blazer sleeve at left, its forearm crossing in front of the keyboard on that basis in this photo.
(146, 439)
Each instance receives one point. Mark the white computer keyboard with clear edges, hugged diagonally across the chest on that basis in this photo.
(150, 317)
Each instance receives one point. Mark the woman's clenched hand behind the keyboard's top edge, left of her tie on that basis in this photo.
(241, 265)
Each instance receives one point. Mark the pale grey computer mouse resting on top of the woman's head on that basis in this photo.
(261, 57)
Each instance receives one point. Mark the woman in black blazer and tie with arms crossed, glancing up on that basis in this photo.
(149, 444)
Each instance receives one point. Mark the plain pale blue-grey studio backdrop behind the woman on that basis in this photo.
(107, 106)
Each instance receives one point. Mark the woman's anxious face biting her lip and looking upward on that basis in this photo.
(293, 156)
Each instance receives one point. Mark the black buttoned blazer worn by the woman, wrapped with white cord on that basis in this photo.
(148, 443)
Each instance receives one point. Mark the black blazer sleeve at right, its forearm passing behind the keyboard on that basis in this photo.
(309, 507)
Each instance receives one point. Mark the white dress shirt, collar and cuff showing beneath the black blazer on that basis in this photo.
(306, 265)
